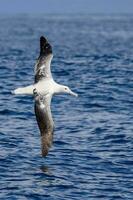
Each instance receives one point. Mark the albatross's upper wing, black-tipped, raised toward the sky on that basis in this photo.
(42, 67)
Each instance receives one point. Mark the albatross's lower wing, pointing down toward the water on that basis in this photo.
(44, 120)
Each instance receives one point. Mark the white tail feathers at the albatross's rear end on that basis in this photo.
(25, 90)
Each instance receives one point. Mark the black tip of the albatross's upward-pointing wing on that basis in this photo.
(45, 47)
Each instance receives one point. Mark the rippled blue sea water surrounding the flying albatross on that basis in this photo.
(92, 153)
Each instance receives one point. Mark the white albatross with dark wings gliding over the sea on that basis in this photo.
(42, 90)
